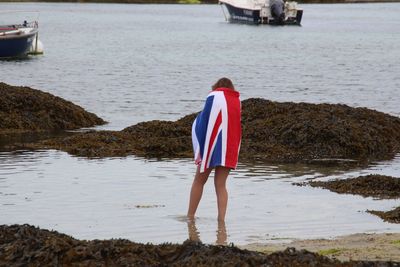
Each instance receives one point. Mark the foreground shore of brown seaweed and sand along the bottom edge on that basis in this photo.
(22, 245)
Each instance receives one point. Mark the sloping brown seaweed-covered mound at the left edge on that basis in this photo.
(23, 109)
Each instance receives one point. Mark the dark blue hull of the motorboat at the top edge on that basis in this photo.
(250, 16)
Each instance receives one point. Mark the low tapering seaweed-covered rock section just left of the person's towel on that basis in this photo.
(147, 139)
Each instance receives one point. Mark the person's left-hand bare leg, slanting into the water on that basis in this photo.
(197, 191)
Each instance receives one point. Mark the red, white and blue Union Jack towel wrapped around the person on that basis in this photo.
(217, 132)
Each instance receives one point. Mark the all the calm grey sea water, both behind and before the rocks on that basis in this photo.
(132, 63)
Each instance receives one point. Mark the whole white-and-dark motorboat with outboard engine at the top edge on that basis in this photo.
(276, 12)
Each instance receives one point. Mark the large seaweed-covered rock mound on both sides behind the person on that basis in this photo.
(272, 131)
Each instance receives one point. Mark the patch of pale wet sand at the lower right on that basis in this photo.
(371, 247)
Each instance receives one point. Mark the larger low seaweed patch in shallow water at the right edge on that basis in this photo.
(373, 185)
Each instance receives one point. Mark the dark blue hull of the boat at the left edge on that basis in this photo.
(16, 45)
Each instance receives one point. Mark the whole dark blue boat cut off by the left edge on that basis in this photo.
(18, 40)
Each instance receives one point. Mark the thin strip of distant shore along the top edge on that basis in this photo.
(195, 1)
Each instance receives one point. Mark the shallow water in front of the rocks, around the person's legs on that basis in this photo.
(143, 200)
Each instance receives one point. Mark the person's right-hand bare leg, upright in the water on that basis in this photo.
(221, 174)
